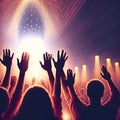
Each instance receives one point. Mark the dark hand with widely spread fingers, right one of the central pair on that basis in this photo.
(59, 64)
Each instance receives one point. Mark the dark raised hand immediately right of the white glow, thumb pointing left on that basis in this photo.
(47, 62)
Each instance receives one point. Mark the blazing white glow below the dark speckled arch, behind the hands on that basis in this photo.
(35, 47)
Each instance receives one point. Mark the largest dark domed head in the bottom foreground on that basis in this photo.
(36, 105)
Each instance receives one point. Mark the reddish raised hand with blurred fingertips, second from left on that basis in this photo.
(23, 65)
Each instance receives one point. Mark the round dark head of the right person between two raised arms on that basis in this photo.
(95, 90)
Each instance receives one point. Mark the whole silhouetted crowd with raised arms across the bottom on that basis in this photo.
(39, 103)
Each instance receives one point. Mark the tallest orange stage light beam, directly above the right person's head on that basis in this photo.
(97, 67)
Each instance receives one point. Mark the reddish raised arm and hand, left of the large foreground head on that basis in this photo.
(17, 95)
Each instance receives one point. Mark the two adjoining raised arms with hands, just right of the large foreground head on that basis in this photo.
(55, 84)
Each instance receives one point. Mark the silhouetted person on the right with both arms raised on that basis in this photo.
(95, 90)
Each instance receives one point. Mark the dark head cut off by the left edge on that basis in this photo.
(4, 100)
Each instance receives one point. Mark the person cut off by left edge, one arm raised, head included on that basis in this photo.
(4, 89)
